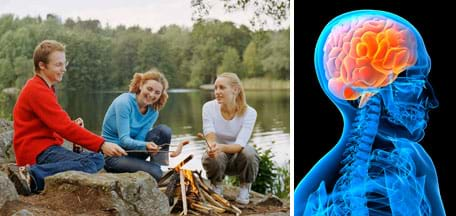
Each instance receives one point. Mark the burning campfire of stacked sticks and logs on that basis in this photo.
(187, 191)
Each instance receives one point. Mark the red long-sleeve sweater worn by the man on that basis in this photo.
(40, 122)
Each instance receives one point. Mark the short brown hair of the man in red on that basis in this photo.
(43, 50)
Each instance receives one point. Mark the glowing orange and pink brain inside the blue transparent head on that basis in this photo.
(366, 53)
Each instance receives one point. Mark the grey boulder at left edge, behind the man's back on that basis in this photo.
(6, 142)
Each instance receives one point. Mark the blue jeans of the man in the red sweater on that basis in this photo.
(56, 159)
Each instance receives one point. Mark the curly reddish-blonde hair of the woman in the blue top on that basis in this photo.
(140, 78)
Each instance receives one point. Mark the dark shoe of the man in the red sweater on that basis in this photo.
(21, 178)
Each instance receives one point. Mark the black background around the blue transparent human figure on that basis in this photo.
(318, 123)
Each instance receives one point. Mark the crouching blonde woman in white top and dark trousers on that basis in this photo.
(228, 124)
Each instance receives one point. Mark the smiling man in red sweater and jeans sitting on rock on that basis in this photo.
(40, 124)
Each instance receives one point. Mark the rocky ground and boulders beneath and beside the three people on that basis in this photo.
(76, 193)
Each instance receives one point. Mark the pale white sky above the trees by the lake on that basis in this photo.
(145, 13)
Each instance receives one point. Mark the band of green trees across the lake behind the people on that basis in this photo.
(106, 58)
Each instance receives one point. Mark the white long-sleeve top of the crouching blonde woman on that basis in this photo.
(235, 131)
